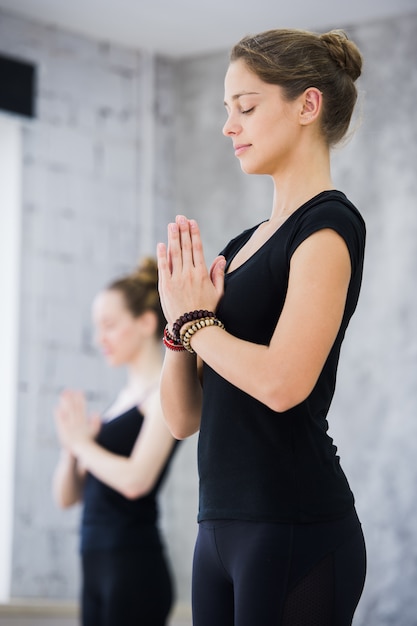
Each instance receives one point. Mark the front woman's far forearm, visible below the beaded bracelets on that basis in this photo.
(181, 394)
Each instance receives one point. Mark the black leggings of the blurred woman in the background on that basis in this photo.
(125, 588)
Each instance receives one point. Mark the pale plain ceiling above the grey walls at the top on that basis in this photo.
(180, 28)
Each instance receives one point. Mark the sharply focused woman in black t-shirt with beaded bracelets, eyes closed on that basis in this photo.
(279, 539)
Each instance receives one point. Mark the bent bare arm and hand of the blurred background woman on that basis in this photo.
(132, 476)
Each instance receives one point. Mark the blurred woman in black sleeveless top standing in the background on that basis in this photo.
(115, 464)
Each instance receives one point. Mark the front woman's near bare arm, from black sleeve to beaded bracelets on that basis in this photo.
(283, 374)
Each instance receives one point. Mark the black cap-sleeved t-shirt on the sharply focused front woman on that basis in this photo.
(254, 463)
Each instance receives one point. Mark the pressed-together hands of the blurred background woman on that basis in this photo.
(74, 426)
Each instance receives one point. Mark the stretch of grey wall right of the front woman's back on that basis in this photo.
(376, 407)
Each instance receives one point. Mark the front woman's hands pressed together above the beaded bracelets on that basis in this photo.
(185, 283)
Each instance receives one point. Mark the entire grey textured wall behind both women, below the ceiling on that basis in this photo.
(82, 217)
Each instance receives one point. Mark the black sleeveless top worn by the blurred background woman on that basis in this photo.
(110, 520)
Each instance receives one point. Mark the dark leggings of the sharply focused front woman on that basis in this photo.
(251, 574)
